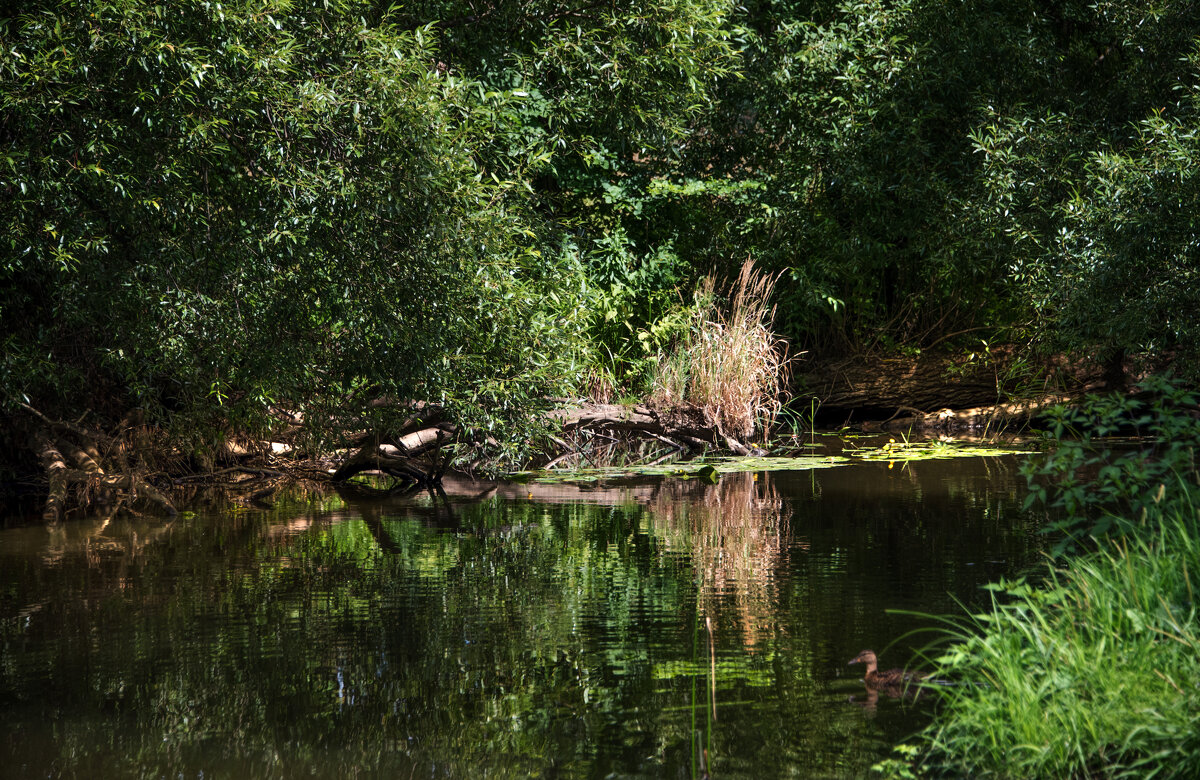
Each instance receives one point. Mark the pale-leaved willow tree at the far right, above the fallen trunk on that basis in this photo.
(1093, 193)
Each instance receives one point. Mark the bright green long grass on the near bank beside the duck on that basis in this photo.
(1091, 674)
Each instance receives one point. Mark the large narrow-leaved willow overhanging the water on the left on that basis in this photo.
(215, 211)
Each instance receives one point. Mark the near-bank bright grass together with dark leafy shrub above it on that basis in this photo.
(1093, 673)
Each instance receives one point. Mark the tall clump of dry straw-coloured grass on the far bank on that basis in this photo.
(730, 365)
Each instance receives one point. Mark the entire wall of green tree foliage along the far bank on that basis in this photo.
(218, 207)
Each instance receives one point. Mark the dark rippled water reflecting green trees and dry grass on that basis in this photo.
(622, 631)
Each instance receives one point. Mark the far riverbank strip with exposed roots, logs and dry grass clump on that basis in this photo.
(91, 464)
